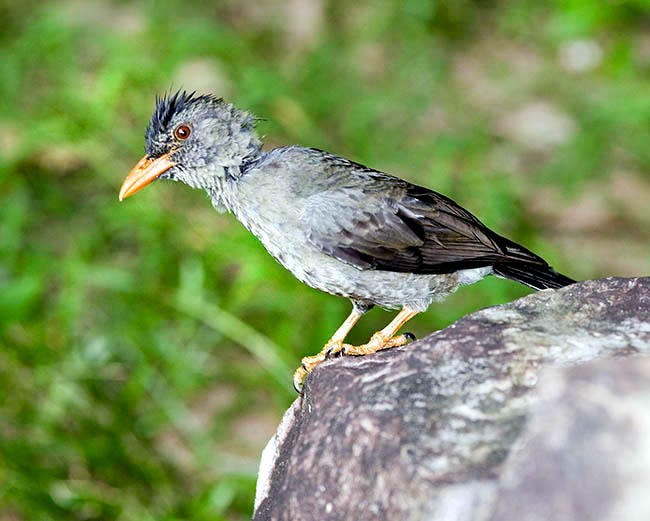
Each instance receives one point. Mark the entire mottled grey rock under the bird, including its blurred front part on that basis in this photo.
(456, 427)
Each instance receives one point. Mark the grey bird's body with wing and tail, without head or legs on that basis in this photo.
(348, 229)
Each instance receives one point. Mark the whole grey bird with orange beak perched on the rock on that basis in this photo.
(338, 226)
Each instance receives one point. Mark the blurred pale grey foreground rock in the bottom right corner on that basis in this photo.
(585, 451)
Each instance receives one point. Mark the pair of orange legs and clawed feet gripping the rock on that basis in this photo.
(383, 339)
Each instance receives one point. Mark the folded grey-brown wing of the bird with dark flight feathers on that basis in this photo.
(376, 221)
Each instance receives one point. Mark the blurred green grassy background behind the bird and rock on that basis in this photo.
(147, 347)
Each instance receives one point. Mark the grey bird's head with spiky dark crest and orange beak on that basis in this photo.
(198, 140)
